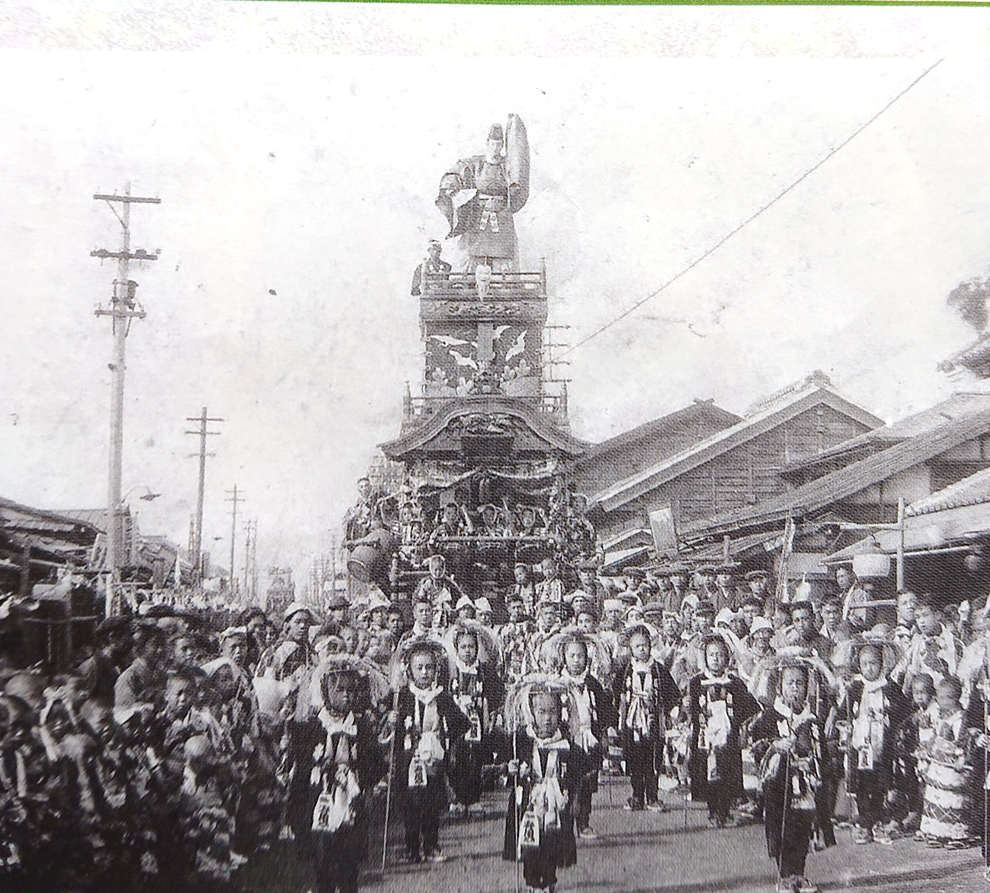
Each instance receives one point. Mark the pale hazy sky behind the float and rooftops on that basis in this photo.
(298, 148)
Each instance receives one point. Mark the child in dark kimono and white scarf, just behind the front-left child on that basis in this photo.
(428, 724)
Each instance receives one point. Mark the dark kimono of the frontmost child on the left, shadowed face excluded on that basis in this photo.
(337, 761)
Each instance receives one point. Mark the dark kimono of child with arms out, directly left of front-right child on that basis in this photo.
(717, 706)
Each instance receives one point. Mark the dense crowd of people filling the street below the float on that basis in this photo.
(183, 744)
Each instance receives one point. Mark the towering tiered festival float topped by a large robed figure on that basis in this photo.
(480, 470)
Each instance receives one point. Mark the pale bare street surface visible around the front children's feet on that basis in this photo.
(675, 852)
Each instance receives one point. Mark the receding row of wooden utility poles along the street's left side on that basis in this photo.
(124, 308)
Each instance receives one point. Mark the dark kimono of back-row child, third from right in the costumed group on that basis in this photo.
(645, 693)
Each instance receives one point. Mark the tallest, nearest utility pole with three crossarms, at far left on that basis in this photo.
(123, 308)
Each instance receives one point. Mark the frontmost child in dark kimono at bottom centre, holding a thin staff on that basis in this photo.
(545, 769)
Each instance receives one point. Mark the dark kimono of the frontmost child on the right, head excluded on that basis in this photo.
(794, 785)
